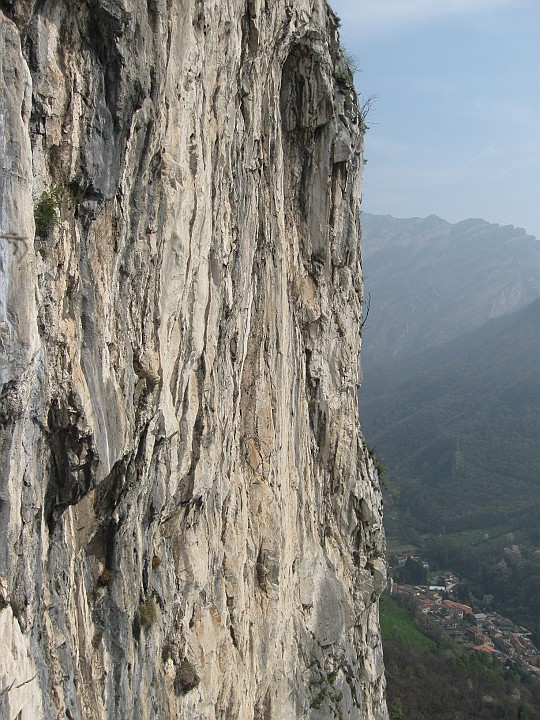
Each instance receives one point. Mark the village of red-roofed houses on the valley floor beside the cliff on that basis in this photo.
(486, 632)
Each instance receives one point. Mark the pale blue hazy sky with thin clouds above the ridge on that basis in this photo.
(455, 130)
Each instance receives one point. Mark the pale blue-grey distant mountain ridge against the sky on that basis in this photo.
(431, 280)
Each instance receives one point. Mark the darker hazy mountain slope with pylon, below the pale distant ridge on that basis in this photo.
(457, 426)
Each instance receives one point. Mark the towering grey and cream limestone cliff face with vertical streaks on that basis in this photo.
(190, 523)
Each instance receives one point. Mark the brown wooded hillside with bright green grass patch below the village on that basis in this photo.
(430, 677)
